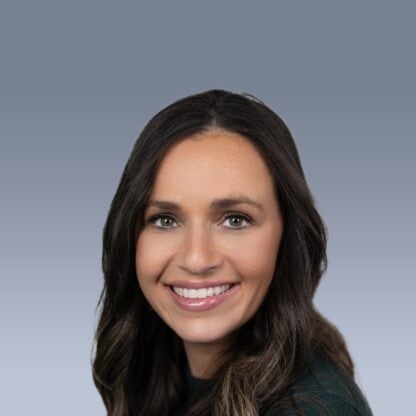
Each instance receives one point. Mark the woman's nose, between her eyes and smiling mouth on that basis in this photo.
(198, 254)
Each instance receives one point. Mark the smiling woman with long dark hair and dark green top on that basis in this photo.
(212, 252)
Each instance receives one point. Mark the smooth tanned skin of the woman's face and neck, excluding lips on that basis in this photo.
(198, 243)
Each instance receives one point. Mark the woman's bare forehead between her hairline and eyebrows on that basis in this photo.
(212, 164)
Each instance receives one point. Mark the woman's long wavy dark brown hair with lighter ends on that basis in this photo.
(139, 361)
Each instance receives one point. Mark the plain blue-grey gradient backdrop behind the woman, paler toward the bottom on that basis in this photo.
(78, 82)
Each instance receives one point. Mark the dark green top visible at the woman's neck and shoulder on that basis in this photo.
(321, 389)
